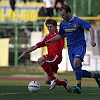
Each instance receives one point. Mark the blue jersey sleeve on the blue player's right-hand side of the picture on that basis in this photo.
(84, 24)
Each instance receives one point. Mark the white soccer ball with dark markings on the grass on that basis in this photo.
(34, 86)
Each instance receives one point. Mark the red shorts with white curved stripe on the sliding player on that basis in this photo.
(53, 61)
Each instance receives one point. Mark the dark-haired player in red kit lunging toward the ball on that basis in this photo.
(49, 62)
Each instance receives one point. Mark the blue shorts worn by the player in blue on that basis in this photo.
(76, 52)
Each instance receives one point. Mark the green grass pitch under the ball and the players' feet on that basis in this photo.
(17, 90)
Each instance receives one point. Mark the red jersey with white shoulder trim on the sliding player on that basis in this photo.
(54, 48)
